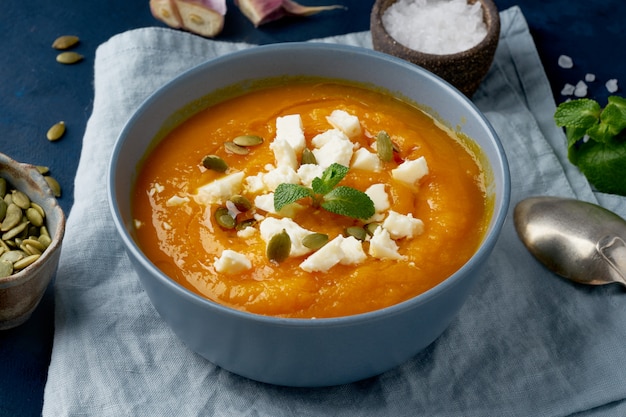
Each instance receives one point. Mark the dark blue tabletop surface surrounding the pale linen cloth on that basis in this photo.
(36, 92)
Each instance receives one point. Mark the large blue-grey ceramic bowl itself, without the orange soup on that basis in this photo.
(299, 352)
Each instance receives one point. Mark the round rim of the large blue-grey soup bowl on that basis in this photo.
(489, 239)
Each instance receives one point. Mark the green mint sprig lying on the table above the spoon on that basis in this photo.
(596, 140)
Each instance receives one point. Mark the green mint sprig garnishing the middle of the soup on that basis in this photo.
(324, 193)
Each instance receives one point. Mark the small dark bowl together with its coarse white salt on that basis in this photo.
(455, 39)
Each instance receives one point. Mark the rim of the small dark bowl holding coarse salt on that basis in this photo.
(493, 32)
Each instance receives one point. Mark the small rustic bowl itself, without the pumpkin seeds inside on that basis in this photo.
(21, 292)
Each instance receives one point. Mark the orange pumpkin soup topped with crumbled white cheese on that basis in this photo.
(430, 217)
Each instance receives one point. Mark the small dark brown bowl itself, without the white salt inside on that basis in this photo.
(465, 70)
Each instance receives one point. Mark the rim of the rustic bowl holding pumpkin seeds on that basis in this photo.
(31, 171)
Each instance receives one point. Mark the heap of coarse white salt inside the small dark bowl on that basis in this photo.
(436, 26)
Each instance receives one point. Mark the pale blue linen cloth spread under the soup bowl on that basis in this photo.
(526, 343)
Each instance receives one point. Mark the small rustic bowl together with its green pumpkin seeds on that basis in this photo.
(32, 225)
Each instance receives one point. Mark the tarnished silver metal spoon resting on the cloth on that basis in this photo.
(575, 239)
